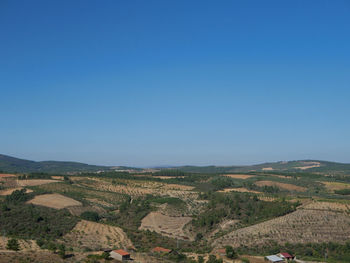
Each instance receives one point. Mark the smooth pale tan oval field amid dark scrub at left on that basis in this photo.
(56, 201)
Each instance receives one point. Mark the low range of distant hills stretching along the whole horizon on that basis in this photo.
(15, 165)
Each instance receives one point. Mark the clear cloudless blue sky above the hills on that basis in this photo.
(148, 83)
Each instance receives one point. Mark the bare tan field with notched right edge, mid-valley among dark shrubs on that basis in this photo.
(166, 225)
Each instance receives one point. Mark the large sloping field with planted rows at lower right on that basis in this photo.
(301, 226)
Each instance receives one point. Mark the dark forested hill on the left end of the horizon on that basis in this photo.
(15, 165)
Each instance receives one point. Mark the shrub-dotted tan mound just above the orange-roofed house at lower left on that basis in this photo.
(97, 236)
